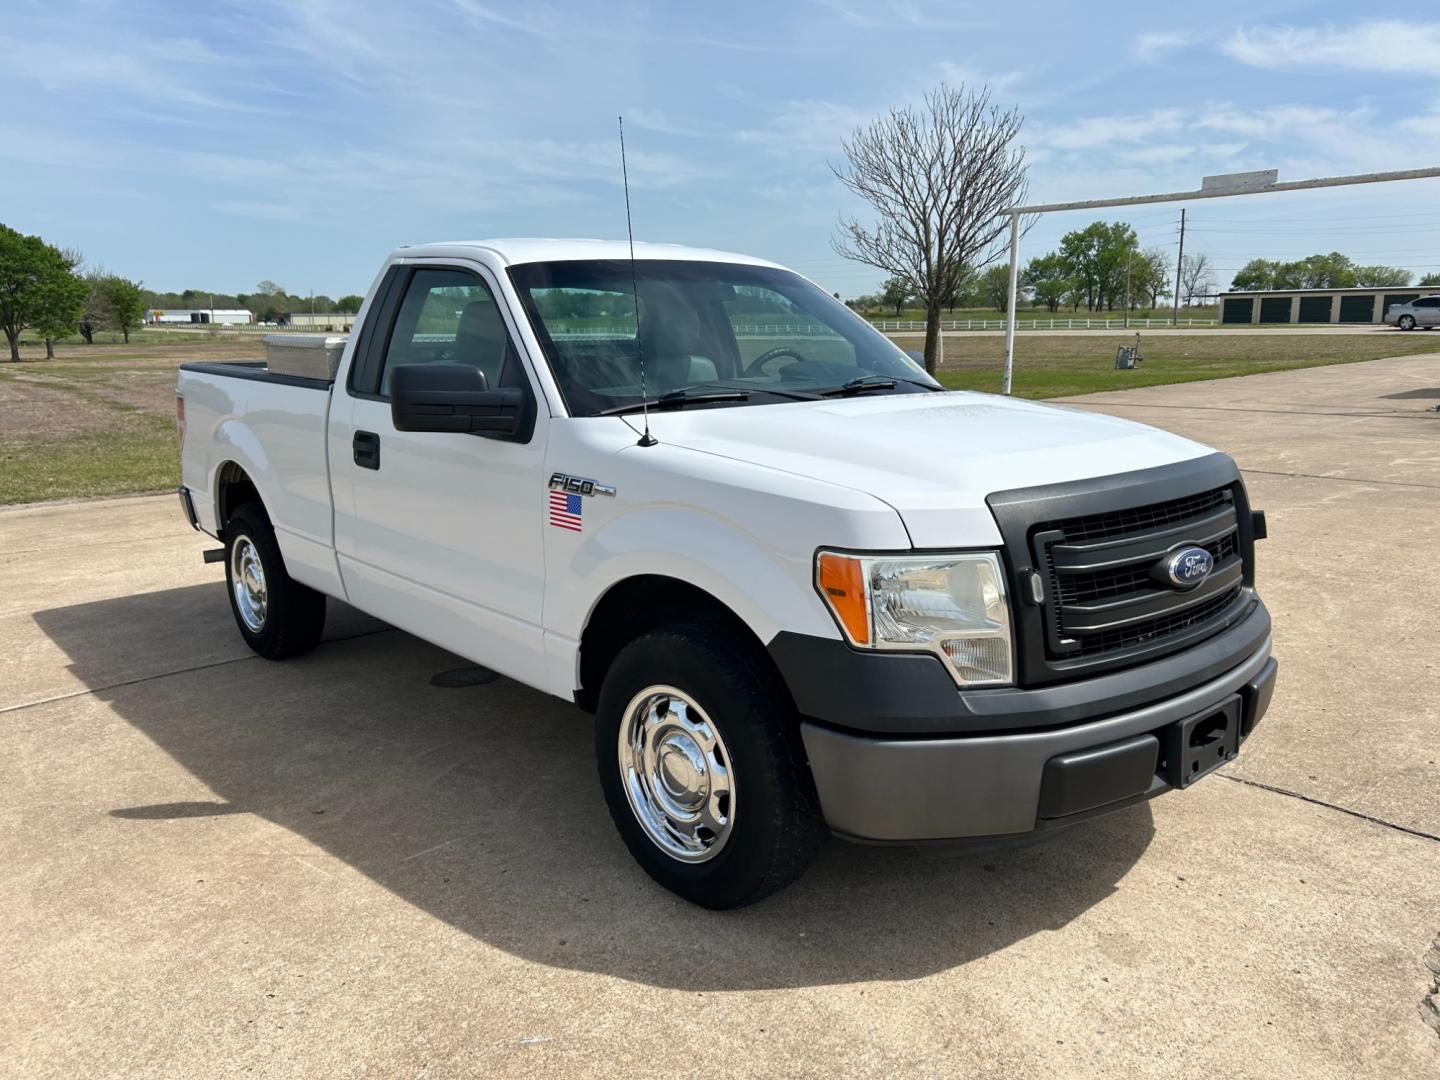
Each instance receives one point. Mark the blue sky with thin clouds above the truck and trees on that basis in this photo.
(215, 145)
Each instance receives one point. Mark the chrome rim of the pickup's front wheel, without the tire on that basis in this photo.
(676, 771)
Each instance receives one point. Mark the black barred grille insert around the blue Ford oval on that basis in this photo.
(1105, 593)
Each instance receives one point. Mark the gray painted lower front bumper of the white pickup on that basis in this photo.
(986, 786)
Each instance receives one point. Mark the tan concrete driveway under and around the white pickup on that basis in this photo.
(341, 866)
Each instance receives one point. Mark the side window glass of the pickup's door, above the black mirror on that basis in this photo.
(451, 318)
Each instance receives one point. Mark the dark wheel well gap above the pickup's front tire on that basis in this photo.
(639, 606)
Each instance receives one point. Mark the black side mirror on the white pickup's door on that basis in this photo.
(453, 398)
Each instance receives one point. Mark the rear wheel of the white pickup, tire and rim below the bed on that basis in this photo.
(279, 617)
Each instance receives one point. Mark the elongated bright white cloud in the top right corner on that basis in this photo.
(1408, 48)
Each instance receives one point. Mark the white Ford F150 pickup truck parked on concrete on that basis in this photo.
(801, 587)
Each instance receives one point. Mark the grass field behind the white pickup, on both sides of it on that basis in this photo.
(100, 420)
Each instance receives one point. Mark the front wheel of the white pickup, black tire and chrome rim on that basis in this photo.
(703, 770)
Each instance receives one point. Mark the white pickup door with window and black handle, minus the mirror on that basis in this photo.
(440, 532)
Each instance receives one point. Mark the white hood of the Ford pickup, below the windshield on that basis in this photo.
(934, 457)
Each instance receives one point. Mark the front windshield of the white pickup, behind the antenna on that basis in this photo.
(709, 326)
